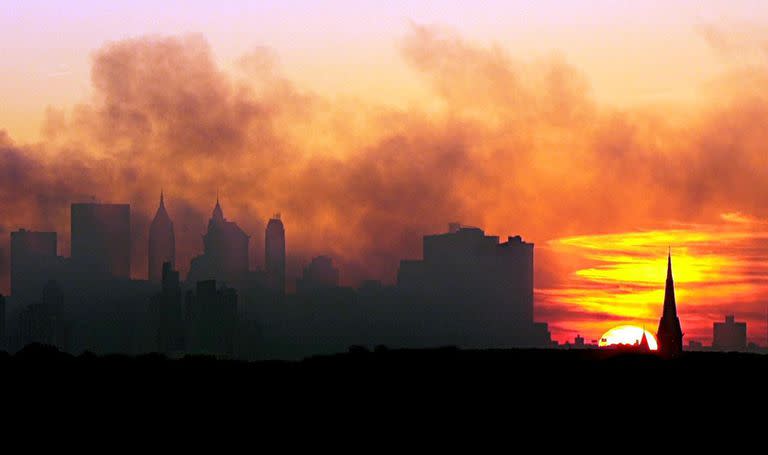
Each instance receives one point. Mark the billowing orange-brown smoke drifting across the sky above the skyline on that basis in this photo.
(516, 145)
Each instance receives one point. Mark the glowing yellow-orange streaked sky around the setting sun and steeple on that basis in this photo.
(621, 276)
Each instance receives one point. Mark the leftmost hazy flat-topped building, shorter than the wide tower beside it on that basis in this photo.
(33, 263)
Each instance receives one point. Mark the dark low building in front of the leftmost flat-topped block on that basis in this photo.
(42, 322)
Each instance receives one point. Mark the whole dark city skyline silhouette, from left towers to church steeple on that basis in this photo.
(469, 290)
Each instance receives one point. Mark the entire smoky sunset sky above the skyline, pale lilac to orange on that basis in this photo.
(603, 131)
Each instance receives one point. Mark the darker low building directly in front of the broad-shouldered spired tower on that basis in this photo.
(211, 319)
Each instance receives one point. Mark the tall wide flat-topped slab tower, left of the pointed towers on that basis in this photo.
(101, 239)
